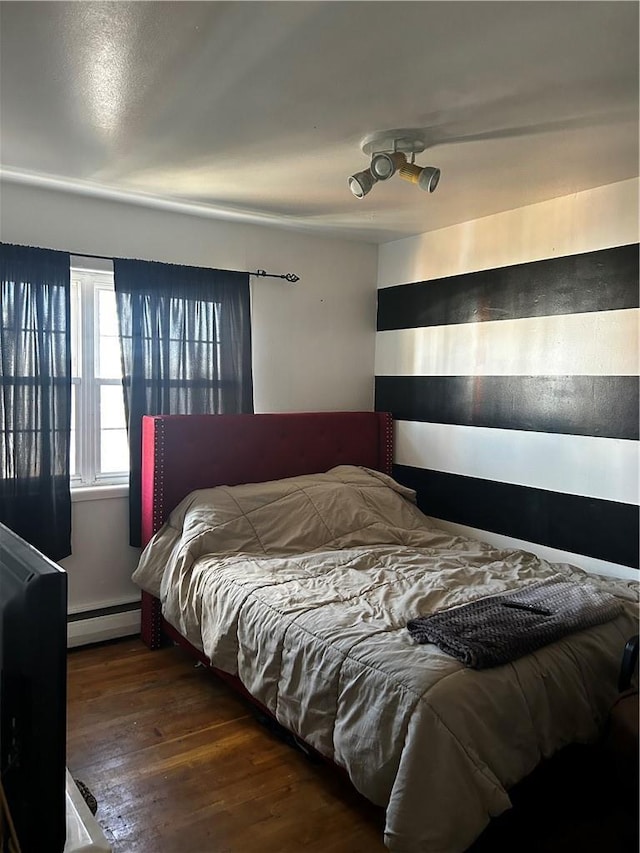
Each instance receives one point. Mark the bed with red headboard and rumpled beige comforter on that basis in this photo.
(283, 554)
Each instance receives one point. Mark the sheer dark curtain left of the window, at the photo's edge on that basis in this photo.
(35, 402)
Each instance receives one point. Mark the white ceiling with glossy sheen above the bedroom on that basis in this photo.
(256, 111)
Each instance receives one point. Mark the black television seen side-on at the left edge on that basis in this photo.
(33, 693)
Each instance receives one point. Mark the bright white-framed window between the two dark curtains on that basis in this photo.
(99, 448)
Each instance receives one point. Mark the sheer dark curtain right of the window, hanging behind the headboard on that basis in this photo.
(185, 334)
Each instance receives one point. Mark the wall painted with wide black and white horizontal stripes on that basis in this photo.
(515, 398)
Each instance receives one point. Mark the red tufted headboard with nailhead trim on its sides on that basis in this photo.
(181, 453)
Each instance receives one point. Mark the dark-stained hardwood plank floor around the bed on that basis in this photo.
(179, 764)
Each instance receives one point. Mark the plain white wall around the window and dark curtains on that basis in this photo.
(313, 342)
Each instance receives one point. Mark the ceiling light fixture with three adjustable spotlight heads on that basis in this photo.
(388, 152)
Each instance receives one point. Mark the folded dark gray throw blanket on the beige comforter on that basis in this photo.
(501, 628)
